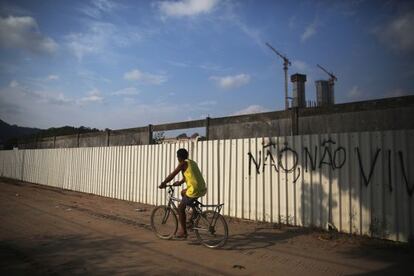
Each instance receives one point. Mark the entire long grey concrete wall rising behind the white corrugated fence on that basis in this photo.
(382, 114)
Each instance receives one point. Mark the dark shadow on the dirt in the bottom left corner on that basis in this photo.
(70, 254)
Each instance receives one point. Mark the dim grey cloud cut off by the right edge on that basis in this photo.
(398, 33)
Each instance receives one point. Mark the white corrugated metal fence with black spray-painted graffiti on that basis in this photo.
(357, 182)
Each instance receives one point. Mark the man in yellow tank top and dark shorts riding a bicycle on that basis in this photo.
(196, 186)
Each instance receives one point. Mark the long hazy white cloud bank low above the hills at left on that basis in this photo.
(23, 107)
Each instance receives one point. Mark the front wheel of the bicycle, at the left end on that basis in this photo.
(164, 222)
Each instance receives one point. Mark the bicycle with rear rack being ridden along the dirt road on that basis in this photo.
(209, 226)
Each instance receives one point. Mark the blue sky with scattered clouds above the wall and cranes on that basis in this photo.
(123, 64)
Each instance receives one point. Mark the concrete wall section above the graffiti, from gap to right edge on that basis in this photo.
(383, 114)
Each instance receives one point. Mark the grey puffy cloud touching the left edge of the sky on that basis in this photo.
(23, 32)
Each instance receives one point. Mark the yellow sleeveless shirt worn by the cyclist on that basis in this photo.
(196, 186)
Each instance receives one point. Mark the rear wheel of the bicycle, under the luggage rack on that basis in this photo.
(211, 229)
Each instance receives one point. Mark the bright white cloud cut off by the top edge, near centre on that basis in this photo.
(186, 7)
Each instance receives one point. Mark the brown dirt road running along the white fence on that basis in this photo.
(47, 231)
